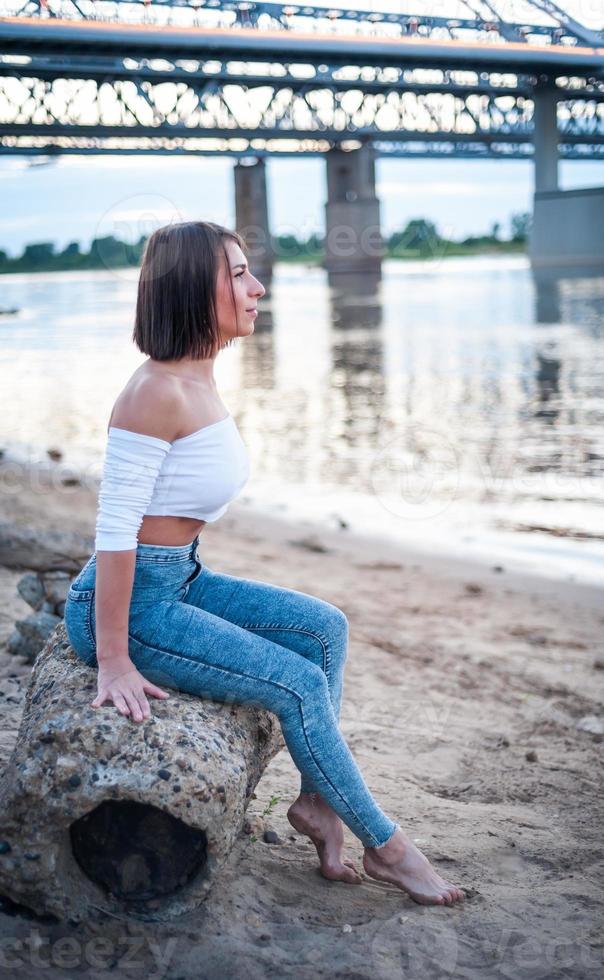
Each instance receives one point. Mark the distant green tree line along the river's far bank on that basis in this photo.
(419, 239)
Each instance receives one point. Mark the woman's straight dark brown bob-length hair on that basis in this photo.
(176, 301)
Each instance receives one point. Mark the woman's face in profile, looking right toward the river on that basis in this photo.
(237, 321)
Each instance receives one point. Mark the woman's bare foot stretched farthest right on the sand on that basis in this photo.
(401, 863)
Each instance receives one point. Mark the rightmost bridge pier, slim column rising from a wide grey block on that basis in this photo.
(567, 236)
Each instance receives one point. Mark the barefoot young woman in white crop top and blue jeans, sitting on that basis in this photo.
(145, 609)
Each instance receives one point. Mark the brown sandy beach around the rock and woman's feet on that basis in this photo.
(466, 693)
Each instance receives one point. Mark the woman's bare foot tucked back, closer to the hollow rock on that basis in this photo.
(310, 815)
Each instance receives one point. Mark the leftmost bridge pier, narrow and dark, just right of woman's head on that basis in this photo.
(251, 218)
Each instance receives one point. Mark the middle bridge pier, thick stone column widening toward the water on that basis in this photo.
(353, 242)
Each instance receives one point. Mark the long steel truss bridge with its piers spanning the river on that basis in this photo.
(255, 80)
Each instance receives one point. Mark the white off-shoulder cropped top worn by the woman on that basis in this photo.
(195, 476)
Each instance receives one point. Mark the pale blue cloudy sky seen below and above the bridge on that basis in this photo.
(78, 198)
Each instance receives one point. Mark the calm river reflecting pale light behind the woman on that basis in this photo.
(439, 411)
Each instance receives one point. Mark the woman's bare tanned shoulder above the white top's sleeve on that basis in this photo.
(151, 405)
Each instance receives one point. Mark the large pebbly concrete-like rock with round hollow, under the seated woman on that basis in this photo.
(100, 812)
